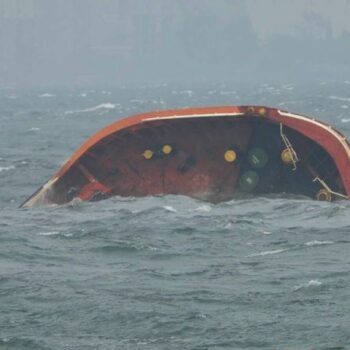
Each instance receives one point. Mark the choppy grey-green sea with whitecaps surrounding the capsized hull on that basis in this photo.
(164, 272)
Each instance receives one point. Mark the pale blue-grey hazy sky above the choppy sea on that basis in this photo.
(75, 42)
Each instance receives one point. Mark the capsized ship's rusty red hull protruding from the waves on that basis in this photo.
(213, 154)
